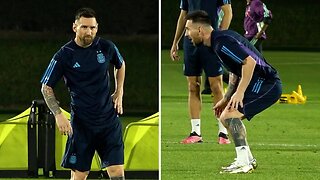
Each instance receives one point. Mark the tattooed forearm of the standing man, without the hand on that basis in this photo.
(50, 99)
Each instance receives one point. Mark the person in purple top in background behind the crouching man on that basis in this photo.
(256, 21)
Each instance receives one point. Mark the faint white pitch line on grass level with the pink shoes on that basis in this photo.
(257, 144)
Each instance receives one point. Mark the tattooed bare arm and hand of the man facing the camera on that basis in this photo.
(62, 122)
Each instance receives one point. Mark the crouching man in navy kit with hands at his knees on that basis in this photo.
(254, 85)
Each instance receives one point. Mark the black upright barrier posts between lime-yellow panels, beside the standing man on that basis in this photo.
(41, 140)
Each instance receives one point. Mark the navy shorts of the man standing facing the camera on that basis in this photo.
(81, 146)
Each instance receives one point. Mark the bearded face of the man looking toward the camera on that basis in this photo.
(86, 30)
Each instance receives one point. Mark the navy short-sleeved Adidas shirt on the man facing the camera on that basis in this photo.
(86, 74)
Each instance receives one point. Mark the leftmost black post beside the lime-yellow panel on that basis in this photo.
(32, 142)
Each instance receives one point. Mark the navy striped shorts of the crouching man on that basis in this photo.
(260, 95)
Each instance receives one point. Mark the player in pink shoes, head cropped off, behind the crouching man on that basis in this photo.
(196, 59)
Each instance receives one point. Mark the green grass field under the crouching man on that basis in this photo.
(284, 138)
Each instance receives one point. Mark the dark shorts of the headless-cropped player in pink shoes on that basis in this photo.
(200, 58)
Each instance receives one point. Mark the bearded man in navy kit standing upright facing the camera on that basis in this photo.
(84, 64)
